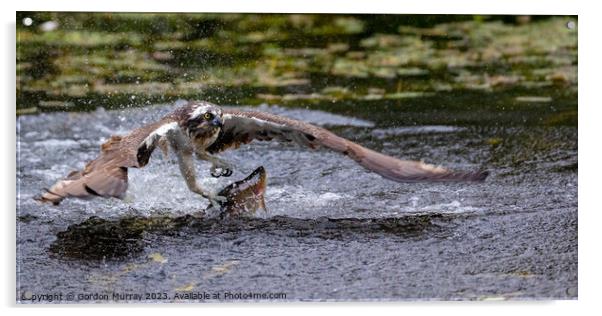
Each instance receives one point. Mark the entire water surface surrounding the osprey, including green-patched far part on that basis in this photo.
(497, 93)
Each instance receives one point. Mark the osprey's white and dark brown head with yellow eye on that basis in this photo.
(202, 119)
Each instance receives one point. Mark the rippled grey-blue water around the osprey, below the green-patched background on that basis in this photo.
(333, 231)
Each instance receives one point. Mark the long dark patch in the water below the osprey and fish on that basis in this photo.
(101, 239)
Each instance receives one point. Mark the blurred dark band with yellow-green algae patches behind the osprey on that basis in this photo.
(422, 63)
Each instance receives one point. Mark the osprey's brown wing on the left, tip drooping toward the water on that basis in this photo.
(107, 175)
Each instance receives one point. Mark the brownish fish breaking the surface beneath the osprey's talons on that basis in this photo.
(243, 197)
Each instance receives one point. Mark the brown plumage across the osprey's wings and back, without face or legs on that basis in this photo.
(106, 175)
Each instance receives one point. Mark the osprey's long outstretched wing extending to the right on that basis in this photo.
(241, 127)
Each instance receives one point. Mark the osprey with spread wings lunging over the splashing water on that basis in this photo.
(204, 129)
